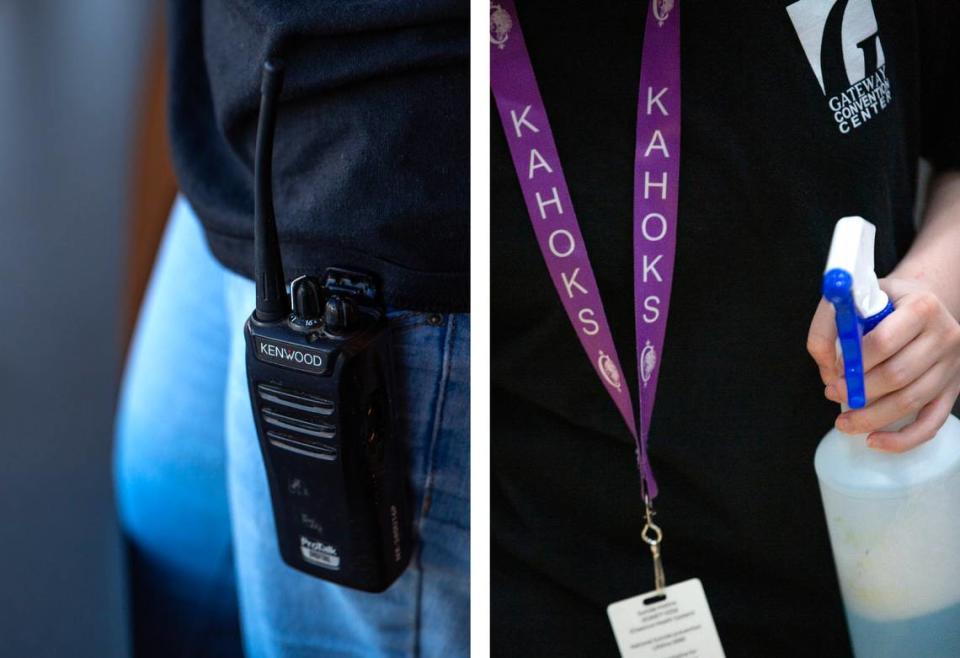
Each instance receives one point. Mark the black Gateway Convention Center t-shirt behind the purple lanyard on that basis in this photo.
(777, 144)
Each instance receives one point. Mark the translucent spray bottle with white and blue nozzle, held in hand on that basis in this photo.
(894, 519)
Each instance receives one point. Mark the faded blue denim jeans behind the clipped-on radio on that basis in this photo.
(193, 496)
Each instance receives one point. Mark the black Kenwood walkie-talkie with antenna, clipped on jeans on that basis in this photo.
(321, 385)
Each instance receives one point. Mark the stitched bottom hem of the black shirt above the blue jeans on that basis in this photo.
(403, 288)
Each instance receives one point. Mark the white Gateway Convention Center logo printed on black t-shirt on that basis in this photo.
(841, 40)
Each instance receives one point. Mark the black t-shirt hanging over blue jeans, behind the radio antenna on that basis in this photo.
(371, 156)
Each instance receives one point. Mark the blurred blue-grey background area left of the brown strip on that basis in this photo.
(69, 76)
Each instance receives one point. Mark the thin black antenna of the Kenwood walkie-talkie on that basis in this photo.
(272, 301)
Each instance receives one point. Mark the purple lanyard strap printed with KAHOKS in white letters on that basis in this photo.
(655, 196)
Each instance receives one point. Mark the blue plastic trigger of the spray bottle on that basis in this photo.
(851, 328)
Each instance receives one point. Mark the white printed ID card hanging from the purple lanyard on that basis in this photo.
(675, 624)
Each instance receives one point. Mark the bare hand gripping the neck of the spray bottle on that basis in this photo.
(911, 365)
